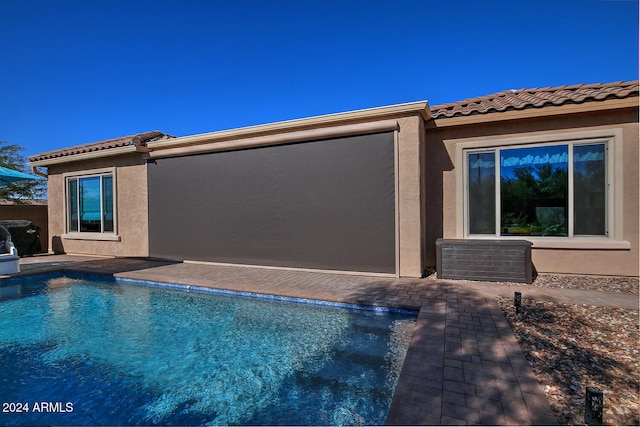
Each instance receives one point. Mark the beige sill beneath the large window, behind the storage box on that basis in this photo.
(565, 242)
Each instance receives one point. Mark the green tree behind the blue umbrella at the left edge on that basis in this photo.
(21, 192)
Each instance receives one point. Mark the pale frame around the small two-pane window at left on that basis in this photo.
(79, 235)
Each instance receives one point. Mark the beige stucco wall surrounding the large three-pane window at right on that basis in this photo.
(442, 146)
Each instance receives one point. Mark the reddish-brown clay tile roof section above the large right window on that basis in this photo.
(522, 99)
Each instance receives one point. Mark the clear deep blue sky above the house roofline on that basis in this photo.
(80, 71)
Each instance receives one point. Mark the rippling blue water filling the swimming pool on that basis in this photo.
(91, 352)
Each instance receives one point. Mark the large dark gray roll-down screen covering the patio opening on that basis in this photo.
(326, 204)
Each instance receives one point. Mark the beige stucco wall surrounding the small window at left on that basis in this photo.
(131, 208)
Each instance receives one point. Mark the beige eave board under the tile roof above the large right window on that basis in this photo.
(546, 111)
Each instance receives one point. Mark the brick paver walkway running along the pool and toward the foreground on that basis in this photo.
(464, 365)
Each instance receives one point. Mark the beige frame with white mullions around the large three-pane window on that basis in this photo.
(612, 138)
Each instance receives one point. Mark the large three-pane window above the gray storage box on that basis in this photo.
(538, 190)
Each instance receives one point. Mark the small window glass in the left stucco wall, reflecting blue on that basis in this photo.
(90, 204)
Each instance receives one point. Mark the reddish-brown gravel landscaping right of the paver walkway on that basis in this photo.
(574, 346)
